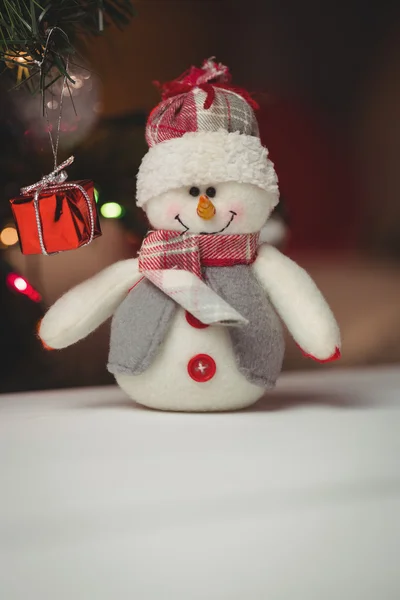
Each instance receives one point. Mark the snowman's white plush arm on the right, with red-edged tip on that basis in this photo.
(299, 303)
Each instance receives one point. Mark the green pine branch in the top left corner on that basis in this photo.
(25, 26)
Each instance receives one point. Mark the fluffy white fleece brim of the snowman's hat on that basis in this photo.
(205, 158)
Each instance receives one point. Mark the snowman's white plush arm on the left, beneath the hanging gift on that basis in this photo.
(84, 308)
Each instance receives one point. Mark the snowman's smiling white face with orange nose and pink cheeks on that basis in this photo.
(223, 208)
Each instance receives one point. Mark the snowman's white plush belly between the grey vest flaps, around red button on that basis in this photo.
(166, 384)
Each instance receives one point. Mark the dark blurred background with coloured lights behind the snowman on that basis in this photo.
(327, 77)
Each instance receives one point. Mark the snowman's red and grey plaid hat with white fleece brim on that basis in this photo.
(204, 131)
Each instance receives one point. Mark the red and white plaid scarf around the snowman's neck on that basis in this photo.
(173, 262)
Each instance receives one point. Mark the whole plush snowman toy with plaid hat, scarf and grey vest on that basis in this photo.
(195, 318)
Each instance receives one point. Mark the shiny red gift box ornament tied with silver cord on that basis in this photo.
(54, 215)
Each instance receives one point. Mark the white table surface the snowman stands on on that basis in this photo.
(297, 499)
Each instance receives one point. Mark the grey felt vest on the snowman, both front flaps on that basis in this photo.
(141, 322)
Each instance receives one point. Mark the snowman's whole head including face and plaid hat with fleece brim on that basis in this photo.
(206, 170)
